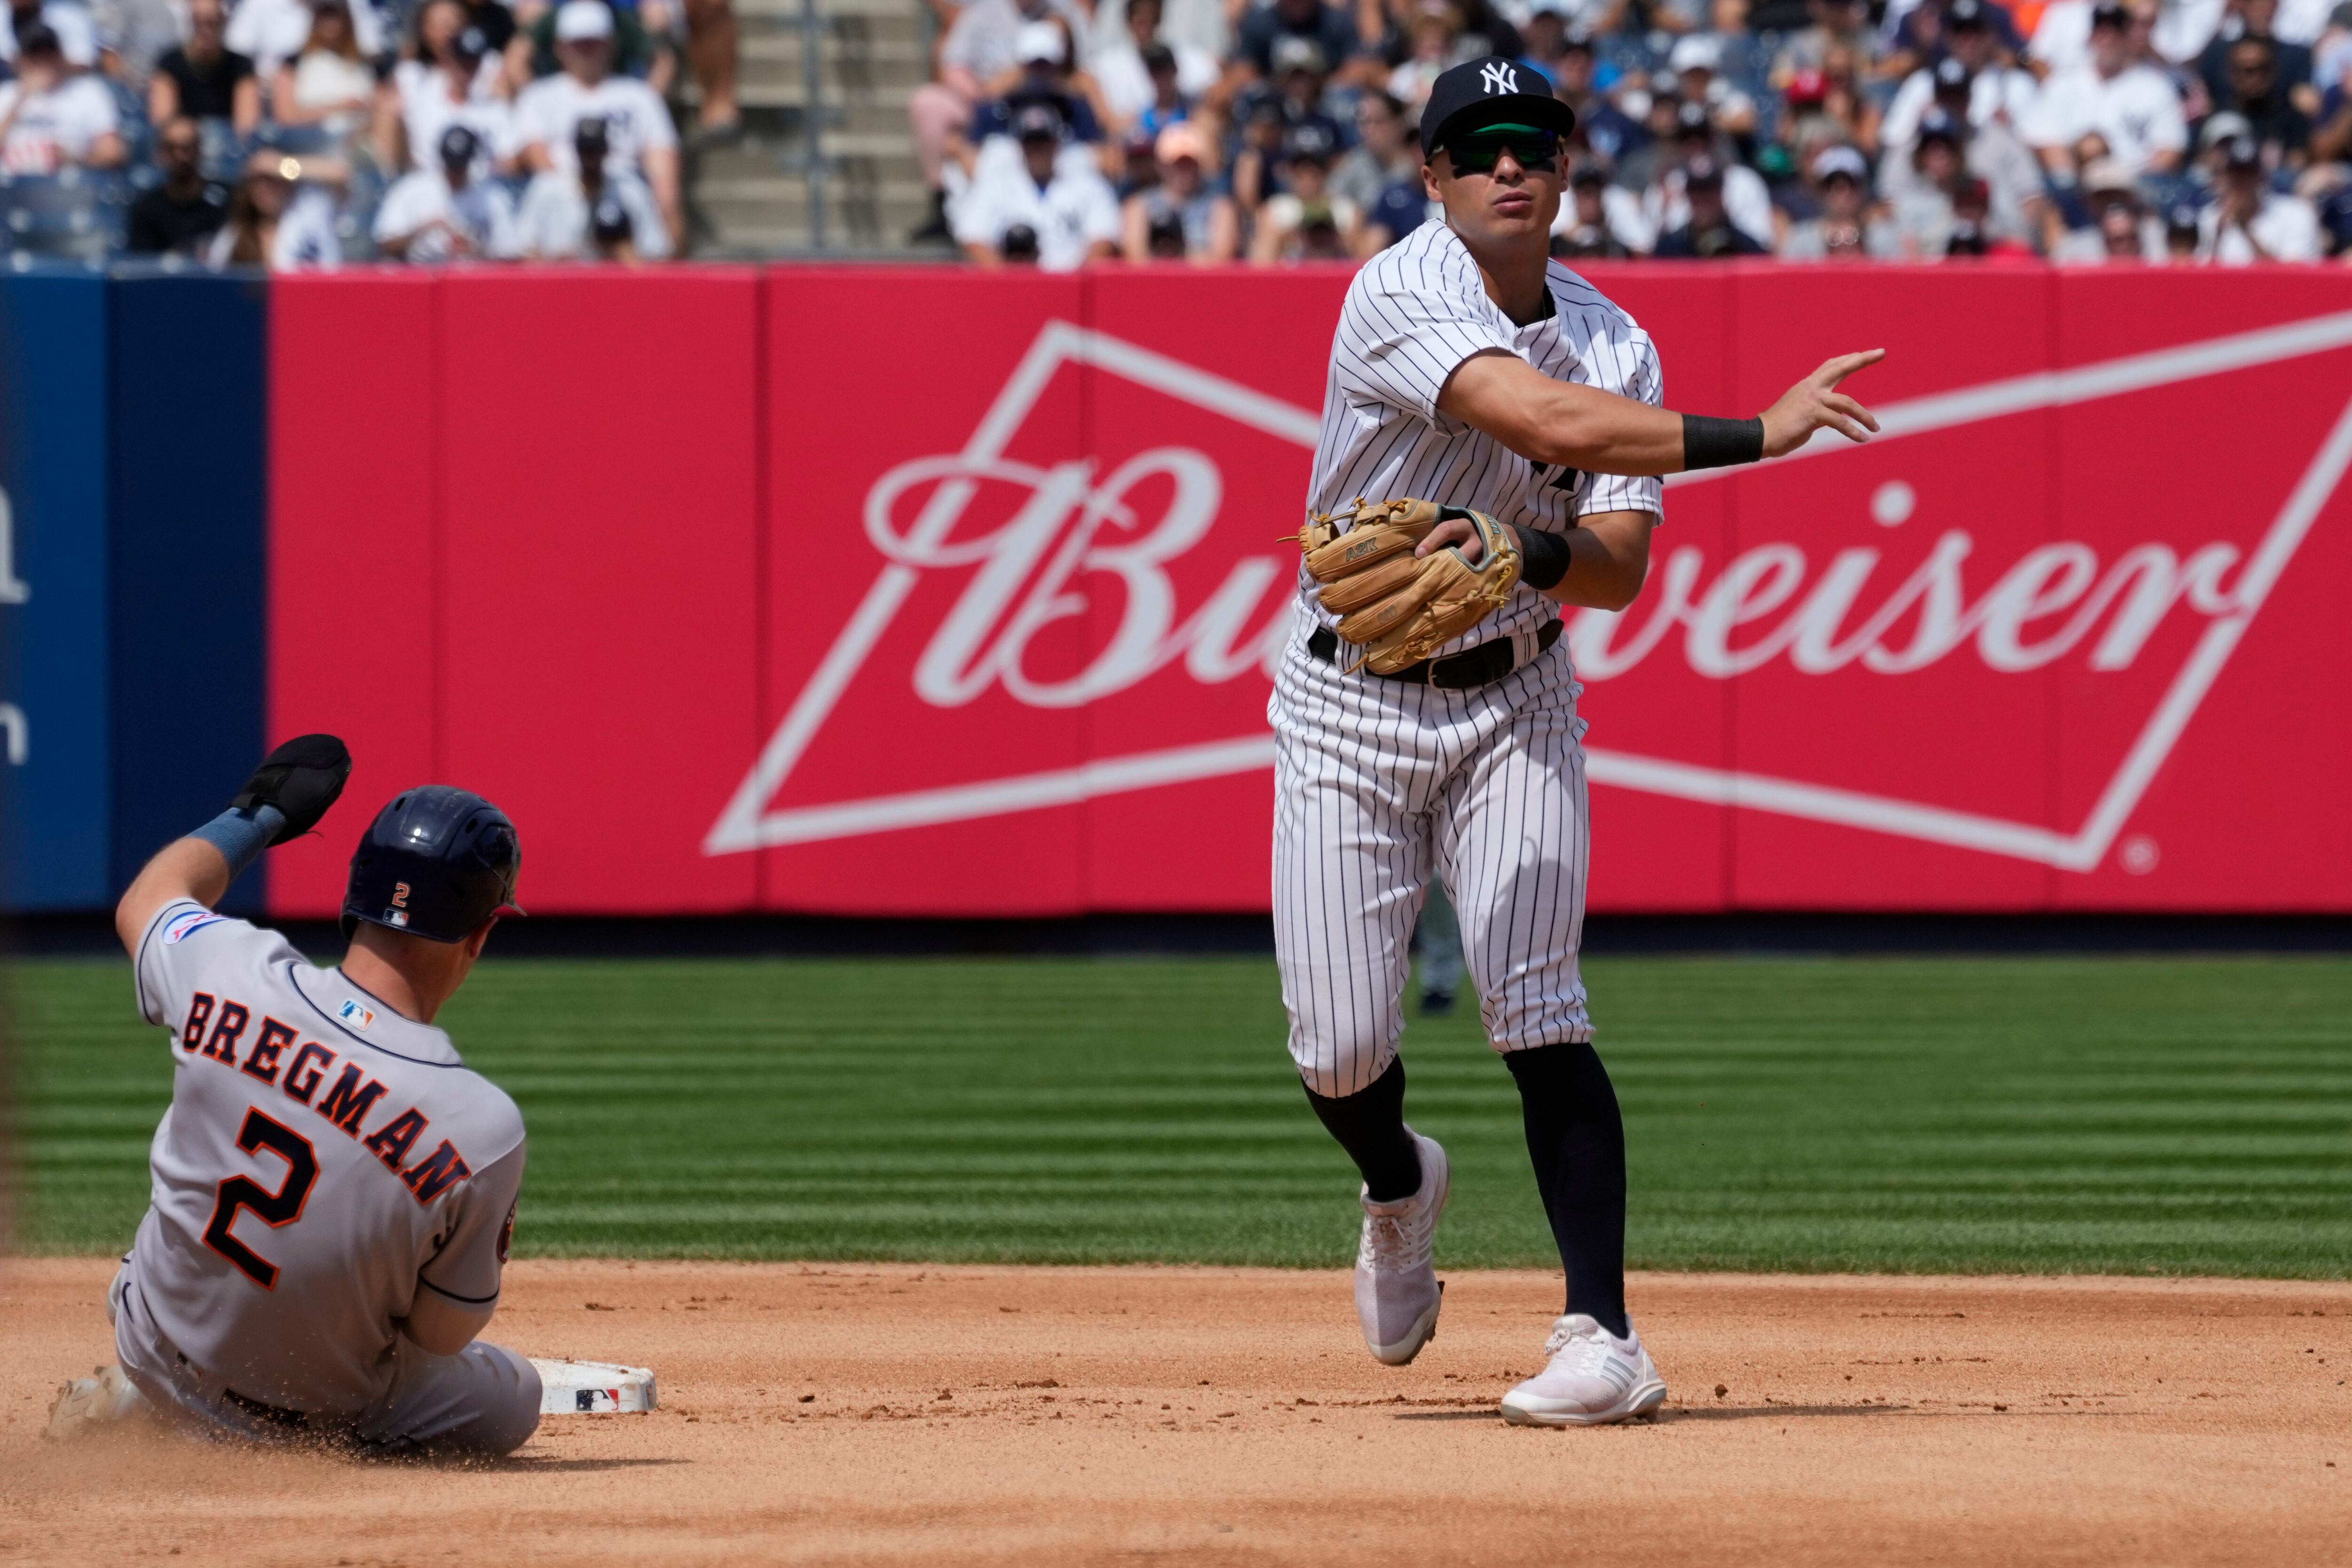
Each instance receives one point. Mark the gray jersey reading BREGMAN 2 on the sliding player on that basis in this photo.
(321, 1165)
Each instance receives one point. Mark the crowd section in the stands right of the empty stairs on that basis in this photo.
(1281, 130)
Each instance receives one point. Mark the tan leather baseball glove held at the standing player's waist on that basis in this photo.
(1394, 605)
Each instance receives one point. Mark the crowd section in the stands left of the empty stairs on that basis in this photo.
(305, 133)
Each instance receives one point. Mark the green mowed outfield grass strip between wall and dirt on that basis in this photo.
(2104, 1115)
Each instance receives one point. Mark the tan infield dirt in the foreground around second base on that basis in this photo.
(1104, 1416)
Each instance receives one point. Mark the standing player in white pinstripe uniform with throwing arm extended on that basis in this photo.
(1474, 373)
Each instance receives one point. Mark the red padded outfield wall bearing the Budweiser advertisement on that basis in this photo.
(881, 591)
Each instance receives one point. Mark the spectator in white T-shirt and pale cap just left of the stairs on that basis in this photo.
(636, 121)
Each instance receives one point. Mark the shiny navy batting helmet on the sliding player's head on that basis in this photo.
(439, 862)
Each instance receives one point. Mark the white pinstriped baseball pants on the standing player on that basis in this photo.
(1382, 782)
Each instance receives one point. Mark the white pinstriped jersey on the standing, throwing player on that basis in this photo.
(1412, 316)
